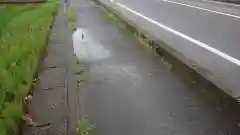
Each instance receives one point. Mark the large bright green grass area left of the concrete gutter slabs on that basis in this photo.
(23, 34)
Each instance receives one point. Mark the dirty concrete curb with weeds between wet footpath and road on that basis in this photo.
(189, 68)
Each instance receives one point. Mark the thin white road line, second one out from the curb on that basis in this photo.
(217, 12)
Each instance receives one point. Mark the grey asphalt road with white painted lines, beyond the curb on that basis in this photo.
(205, 33)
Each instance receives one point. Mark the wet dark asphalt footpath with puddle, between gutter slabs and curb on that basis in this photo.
(129, 90)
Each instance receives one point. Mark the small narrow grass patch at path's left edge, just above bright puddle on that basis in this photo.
(71, 17)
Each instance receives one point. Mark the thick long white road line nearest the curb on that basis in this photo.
(197, 42)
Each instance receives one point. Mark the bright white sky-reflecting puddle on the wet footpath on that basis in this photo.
(86, 48)
